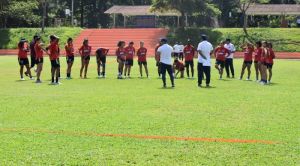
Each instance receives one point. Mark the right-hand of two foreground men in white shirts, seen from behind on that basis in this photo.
(205, 50)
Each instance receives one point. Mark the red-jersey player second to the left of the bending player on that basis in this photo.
(69, 56)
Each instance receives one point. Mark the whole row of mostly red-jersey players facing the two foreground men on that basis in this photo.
(183, 59)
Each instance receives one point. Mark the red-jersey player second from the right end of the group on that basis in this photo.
(263, 65)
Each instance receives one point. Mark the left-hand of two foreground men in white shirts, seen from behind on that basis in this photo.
(165, 53)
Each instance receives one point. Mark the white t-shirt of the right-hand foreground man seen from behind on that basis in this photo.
(206, 48)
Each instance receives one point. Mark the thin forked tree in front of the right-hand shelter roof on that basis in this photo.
(244, 5)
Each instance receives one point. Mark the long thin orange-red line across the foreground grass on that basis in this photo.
(174, 138)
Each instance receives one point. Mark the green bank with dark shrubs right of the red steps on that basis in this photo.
(284, 39)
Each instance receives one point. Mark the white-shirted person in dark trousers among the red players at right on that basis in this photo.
(229, 59)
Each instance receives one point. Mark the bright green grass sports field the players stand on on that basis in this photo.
(111, 122)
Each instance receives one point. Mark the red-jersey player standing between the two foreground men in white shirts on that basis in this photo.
(189, 53)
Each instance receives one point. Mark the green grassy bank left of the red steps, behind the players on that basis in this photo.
(10, 37)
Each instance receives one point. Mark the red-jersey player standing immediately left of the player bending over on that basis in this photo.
(85, 52)
